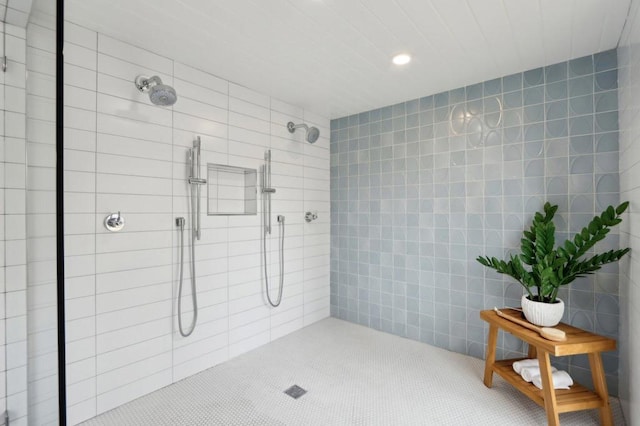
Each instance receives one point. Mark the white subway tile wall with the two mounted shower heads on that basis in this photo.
(123, 154)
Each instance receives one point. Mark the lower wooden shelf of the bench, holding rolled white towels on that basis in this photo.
(575, 399)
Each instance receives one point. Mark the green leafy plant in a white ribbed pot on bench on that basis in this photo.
(542, 268)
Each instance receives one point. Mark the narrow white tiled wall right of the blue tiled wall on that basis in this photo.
(629, 106)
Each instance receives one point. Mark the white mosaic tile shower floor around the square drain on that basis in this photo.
(353, 375)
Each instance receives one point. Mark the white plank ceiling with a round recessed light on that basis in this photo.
(333, 57)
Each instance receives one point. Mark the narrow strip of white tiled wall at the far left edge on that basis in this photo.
(13, 247)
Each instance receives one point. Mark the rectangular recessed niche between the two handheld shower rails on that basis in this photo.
(231, 190)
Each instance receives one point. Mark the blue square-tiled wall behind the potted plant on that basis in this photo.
(420, 189)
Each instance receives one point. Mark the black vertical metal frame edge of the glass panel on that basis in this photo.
(62, 378)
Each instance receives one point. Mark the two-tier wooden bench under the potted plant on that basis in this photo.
(554, 401)
